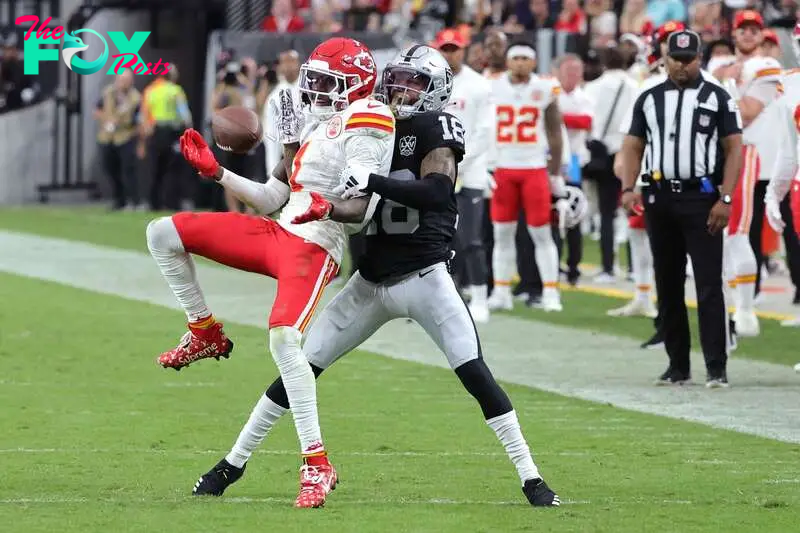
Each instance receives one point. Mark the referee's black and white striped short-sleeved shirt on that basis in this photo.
(683, 128)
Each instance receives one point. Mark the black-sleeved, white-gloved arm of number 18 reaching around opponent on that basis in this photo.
(432, 193)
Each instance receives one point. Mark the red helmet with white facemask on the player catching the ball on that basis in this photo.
(338, 72)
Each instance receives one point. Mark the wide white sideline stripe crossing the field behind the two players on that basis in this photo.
(764, 398)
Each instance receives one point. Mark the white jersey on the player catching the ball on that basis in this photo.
(362, 134)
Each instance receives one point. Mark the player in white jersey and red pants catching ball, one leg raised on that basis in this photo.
(345, 127)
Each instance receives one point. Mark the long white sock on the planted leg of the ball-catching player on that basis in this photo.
(301, 388)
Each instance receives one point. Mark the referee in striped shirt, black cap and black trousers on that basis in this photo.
(688, 129)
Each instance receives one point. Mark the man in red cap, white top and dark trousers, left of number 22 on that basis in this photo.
(471, 103)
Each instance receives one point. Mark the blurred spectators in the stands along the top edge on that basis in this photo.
(601, 21)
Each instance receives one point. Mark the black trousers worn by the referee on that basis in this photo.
(676, 224)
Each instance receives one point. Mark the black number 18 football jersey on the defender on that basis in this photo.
(399, 239)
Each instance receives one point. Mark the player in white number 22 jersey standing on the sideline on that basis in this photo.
(527, 166)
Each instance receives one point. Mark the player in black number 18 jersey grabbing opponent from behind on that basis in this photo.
(403, 272)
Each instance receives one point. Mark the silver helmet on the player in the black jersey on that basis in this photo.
(417, 80)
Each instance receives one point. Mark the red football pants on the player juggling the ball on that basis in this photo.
(262, 246)
